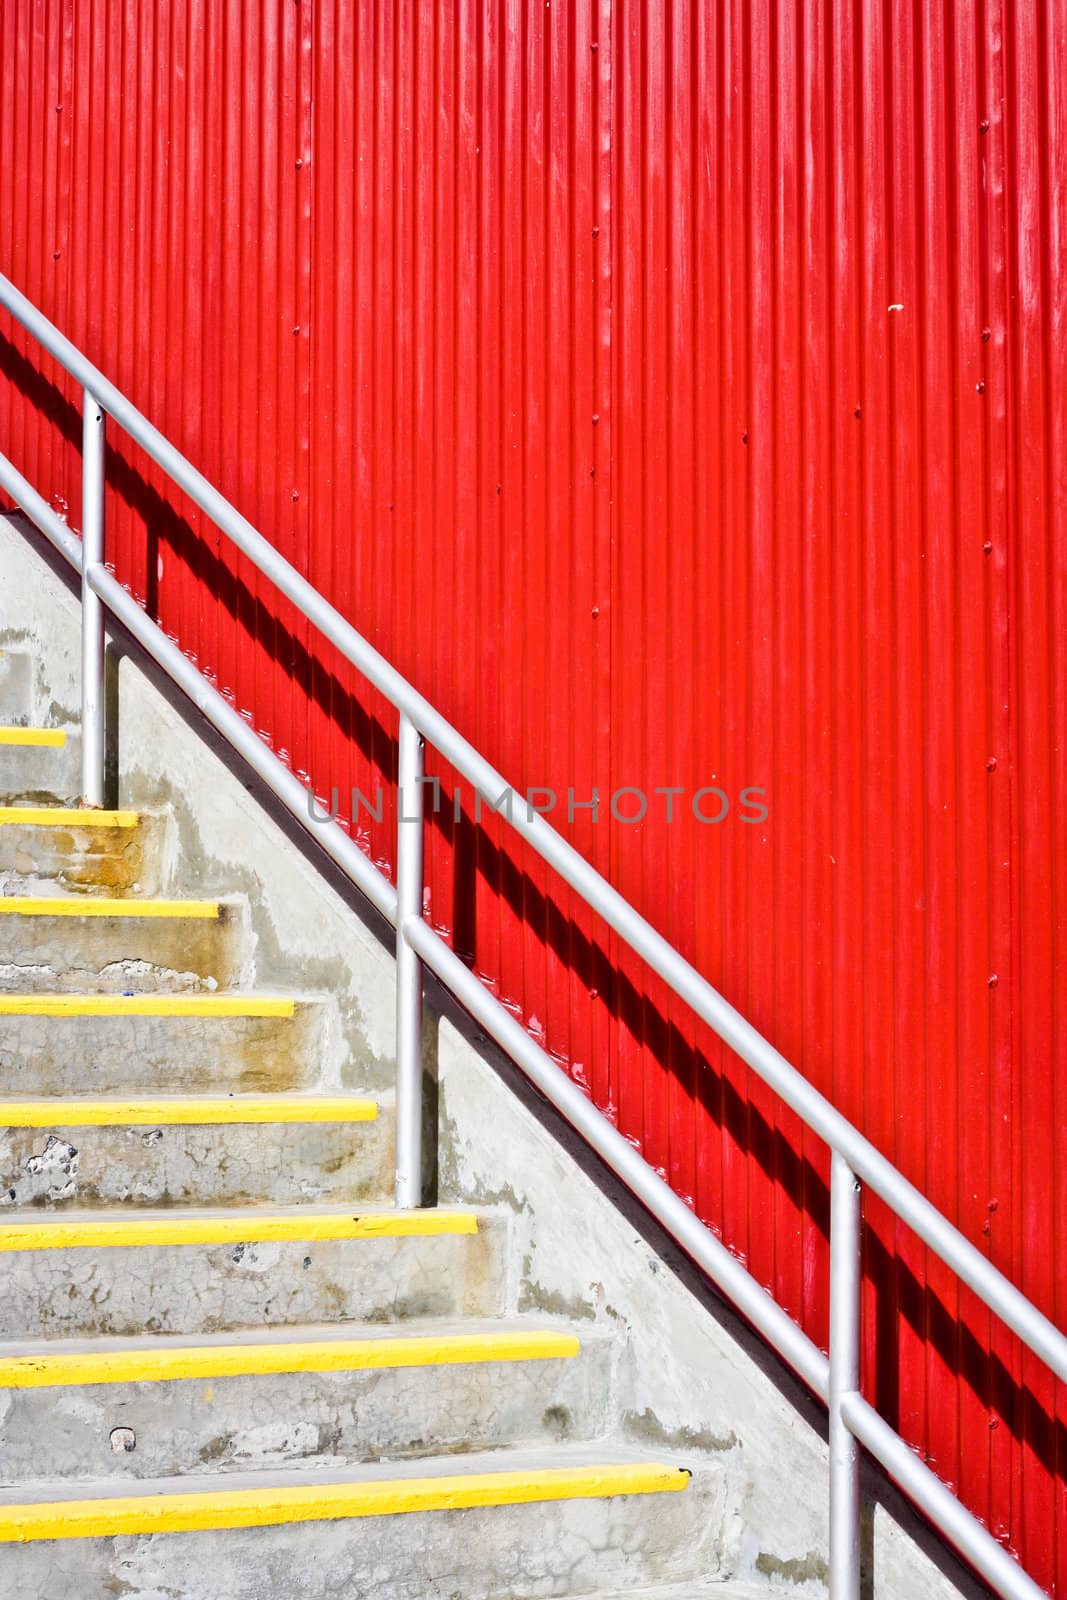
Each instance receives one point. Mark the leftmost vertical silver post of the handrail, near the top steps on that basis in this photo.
(94, 428)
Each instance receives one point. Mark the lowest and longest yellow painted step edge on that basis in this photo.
(188, 1513)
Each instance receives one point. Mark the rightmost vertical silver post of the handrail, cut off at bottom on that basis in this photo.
(845, 1310)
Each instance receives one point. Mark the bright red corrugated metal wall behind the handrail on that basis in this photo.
(676, 393)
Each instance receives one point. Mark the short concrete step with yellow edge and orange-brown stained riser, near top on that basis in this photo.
(86, 852)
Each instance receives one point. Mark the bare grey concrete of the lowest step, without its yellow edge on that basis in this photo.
(522, 1553)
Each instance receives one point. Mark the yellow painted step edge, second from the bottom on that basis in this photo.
(314, 1356)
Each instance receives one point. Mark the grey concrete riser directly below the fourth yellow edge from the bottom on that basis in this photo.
(201, 1166)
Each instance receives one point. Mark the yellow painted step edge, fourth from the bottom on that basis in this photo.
(186, 1113)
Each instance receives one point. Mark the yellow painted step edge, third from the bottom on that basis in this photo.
(234, 1230)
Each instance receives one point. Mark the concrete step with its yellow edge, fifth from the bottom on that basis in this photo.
(172, 1044)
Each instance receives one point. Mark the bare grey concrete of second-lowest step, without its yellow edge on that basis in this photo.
(313, 1420)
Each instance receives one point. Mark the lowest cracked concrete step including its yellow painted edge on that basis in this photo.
(514, 1524)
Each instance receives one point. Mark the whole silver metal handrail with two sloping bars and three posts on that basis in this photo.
(855, 1161)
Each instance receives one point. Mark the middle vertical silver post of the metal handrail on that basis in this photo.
(409, 967)
